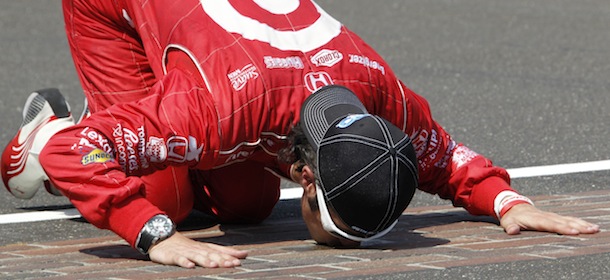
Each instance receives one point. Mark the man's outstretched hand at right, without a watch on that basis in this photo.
(527, 217)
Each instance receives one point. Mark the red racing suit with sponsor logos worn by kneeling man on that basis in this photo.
(215, 88)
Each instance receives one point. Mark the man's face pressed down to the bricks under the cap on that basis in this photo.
(311, 215)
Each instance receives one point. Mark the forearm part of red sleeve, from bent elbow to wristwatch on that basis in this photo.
(86, 171)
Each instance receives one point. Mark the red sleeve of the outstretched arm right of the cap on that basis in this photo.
(449, 169)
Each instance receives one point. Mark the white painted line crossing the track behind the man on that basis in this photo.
(294, 193)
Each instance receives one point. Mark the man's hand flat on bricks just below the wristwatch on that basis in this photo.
(185, 252)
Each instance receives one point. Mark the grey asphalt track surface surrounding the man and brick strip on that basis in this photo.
(526, 83)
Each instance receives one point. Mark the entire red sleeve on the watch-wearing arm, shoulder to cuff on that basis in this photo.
(96, 163)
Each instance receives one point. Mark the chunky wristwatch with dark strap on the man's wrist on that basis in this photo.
(157, 229)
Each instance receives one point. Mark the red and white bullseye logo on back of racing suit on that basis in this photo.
(288, 25)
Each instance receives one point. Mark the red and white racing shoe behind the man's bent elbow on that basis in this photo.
(45, 113)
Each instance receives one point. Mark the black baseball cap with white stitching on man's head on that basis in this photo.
(366, 167)
